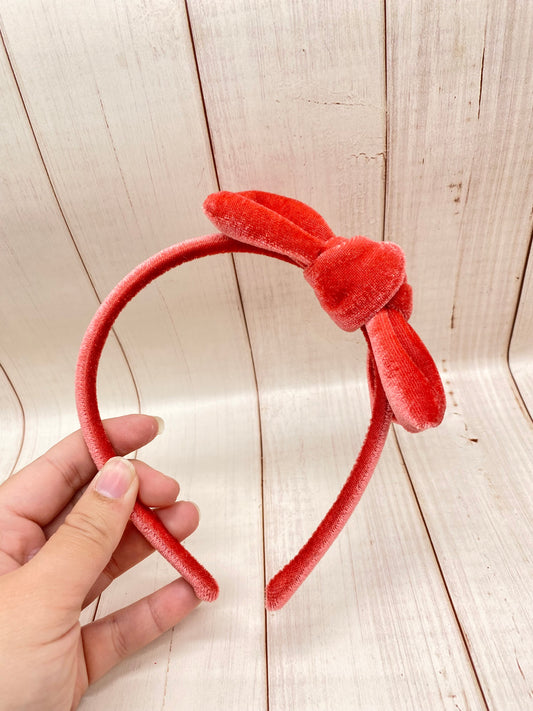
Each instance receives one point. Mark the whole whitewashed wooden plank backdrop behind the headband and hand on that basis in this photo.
(403, 121)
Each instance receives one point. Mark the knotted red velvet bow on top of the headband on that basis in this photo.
(358, 282)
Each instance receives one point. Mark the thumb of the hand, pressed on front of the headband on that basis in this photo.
(81, 547)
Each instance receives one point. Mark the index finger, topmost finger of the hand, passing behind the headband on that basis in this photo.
(43, 488)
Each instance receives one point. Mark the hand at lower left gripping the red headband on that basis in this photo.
(56, 557)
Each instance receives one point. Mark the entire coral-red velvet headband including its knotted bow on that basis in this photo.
(359, 282)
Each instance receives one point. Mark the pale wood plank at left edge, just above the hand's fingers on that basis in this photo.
(46, 299)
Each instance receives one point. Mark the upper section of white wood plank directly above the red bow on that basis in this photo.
(308, 80)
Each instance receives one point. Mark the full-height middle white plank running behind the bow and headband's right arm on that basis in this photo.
(302, 87)
